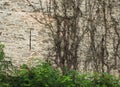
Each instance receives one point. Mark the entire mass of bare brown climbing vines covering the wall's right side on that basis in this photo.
(74, 20)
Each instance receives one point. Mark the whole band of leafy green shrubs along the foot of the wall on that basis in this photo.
(44, 75)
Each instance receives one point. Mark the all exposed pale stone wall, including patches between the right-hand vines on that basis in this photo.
(26, 40)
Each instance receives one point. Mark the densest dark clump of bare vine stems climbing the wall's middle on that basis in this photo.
(66, 39)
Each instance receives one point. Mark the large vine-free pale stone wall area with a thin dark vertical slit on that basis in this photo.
(17, 27)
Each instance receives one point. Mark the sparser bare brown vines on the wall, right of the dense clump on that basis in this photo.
(102, 24)
